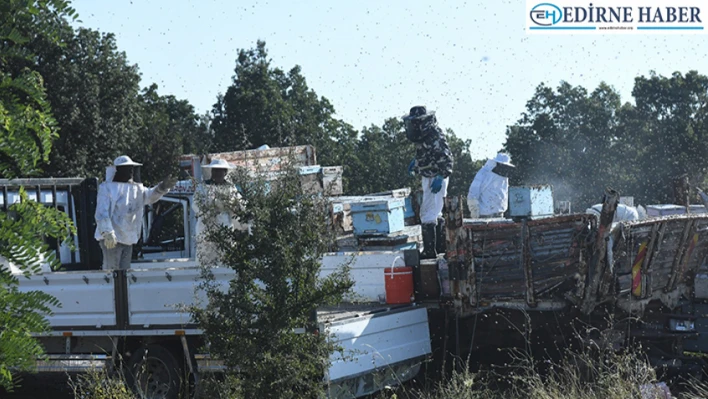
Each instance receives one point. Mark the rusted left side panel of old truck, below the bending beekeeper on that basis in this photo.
(529, 261)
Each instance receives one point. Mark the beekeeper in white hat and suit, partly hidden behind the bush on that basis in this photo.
(213, 196)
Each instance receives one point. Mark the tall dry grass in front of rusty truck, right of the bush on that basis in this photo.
(577, 376)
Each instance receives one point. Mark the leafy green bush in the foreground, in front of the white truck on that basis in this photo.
(252, 326)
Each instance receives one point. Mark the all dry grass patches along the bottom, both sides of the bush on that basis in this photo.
(579, 375)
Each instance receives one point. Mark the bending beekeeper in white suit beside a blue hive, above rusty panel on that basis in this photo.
(488, 196)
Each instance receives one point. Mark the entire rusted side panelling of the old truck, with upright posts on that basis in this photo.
(575, 257)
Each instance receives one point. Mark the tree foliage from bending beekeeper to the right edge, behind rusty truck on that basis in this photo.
(582, 142)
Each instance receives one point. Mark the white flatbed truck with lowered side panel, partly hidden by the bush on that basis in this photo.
(134, 314)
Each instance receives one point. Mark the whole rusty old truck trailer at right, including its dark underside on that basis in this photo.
(630, 278)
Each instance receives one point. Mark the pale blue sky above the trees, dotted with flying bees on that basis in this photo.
(470, 61)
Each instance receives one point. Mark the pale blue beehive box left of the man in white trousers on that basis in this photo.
(378, 217)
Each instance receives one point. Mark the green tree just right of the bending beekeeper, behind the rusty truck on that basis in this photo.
(569, 138)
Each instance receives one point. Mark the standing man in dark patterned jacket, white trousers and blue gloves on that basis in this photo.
(433, 161)
